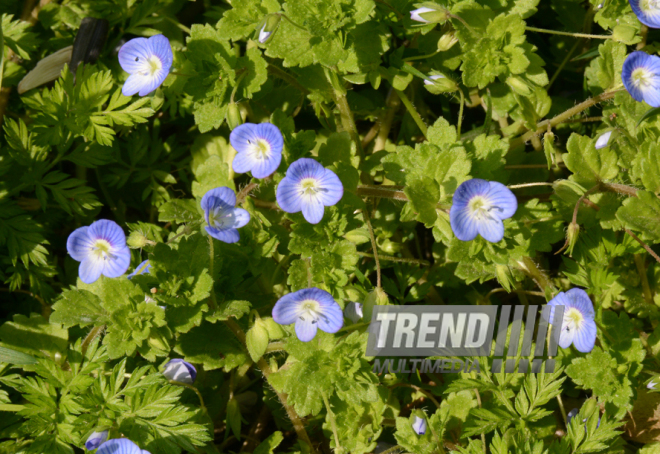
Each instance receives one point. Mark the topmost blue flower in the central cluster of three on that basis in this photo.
(258, 148)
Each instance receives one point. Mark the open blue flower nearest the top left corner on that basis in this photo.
(148, 61)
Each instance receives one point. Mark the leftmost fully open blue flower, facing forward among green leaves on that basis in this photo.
(101, 250)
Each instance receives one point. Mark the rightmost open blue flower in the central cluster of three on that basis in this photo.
(309, 187)
